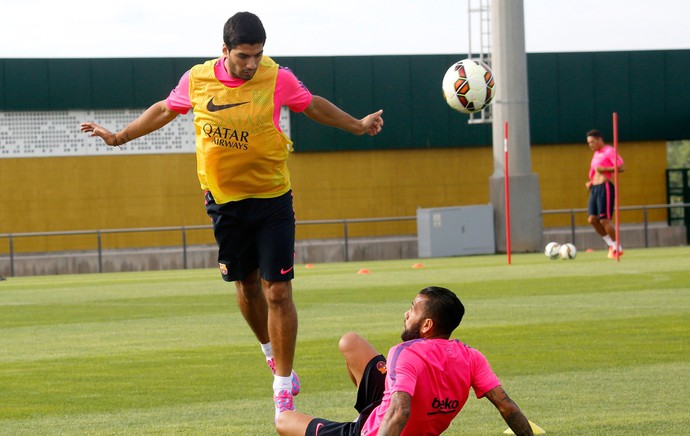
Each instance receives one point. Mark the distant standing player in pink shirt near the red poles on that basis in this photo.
(601, 189)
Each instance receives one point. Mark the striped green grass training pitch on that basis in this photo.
(588, 346)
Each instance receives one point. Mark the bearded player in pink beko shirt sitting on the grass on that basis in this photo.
(422, 386)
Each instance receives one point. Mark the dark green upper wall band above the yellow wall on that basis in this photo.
(569, 94)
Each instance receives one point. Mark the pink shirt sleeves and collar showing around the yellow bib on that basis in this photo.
(289, 91)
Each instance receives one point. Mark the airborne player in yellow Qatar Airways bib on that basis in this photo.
(241, 164)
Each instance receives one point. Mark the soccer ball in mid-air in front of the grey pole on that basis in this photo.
(468, 86)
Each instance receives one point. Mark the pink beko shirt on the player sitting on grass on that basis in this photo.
(438, 374)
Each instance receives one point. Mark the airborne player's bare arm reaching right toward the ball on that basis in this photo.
(325, 112)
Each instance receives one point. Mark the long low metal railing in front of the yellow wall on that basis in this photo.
(11, 237)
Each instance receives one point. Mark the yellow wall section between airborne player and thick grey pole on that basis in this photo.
(386, 184)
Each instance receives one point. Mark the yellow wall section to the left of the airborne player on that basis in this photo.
(86, 193)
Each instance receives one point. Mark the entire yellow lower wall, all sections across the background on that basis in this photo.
(131, 191)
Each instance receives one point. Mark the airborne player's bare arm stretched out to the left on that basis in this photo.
(155, 117)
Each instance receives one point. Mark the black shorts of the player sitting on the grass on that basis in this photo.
(369, 395)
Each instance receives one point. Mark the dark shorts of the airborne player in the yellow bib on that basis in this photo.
(254, 233)
